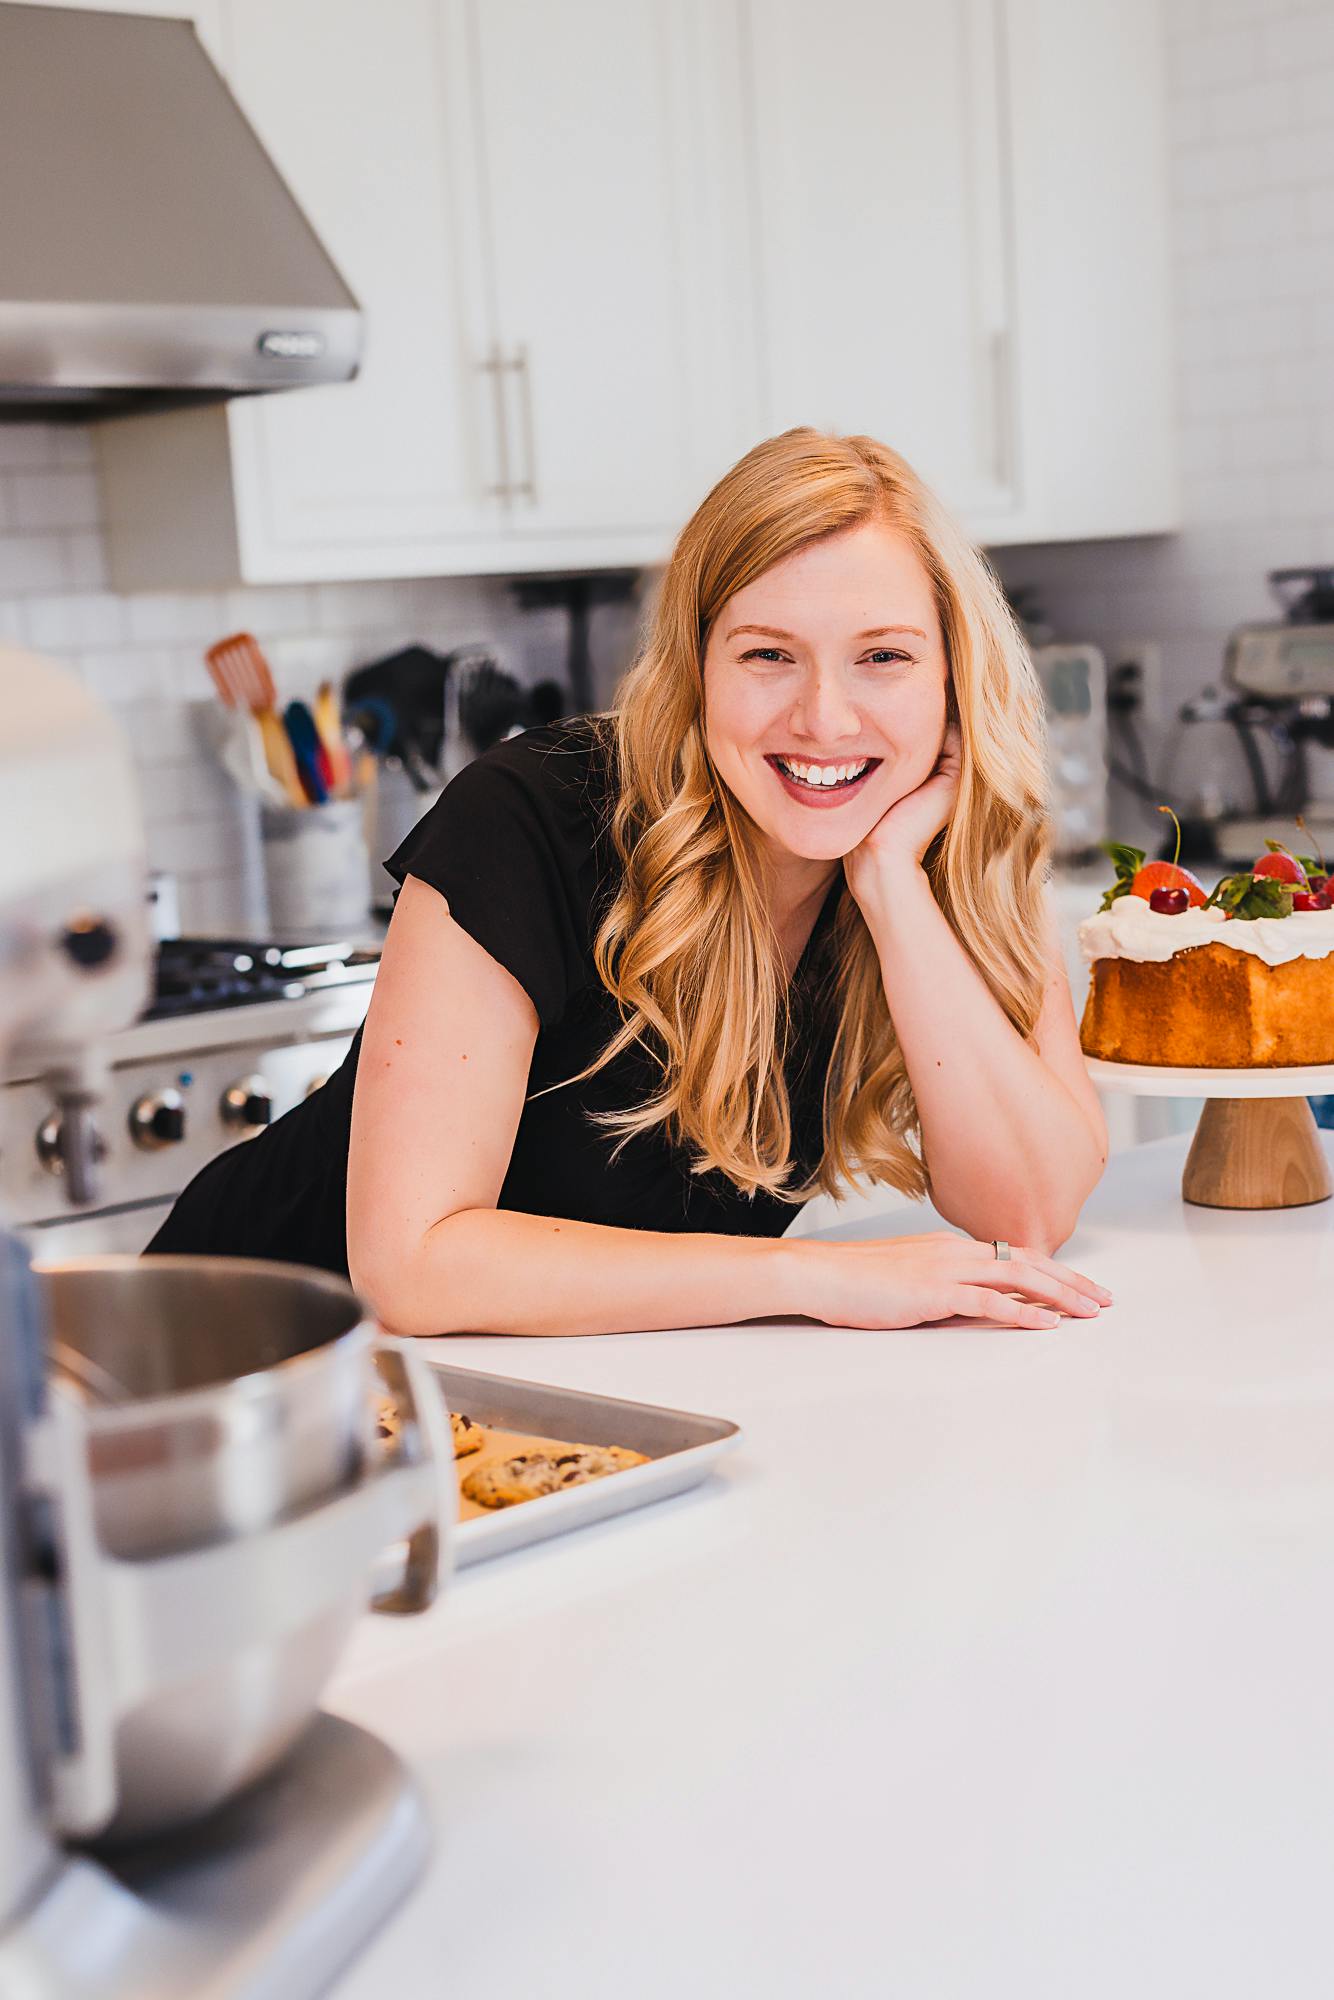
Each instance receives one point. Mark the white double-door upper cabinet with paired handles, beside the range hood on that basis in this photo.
(535, 209)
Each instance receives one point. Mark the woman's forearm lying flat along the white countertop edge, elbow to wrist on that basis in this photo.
(495, 1271)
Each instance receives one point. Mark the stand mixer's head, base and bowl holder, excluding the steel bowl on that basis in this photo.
(271, 1889)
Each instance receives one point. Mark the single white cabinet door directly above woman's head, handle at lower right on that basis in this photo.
(881, 201)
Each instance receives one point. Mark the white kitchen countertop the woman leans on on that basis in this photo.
(993, 1665)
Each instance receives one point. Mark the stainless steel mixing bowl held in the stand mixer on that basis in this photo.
(249, 1401)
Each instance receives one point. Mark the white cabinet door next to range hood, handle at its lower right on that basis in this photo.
(355, 105)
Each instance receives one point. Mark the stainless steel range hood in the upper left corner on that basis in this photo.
(151, 253)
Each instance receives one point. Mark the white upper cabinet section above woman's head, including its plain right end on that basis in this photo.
(963, 251)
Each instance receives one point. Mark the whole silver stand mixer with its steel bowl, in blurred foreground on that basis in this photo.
(195, 1507)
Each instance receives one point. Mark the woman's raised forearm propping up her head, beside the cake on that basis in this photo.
(1009, 1151)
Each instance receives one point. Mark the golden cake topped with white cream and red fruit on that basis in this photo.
(1235, 979)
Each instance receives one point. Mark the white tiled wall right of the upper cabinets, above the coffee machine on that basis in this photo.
(1253, 215)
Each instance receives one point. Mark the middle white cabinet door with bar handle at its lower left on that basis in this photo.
(589, 207)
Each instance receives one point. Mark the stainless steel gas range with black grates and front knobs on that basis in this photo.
(235, 1037)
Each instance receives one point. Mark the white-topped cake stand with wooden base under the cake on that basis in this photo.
(1257, 1143)
